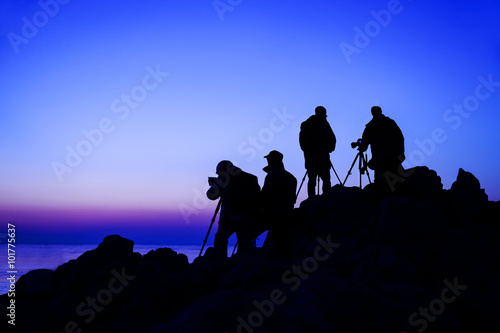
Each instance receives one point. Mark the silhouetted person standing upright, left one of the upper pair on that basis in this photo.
(317, 141)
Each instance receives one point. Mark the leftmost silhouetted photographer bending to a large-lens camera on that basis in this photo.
(239, 194)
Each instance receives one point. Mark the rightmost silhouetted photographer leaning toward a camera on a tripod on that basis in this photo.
(387, 148)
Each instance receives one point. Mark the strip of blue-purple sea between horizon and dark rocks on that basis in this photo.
(35, 256)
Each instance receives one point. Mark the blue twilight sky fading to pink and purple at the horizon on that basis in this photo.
(166, 89)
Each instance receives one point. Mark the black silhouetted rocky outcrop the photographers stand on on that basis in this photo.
(426, 259)
